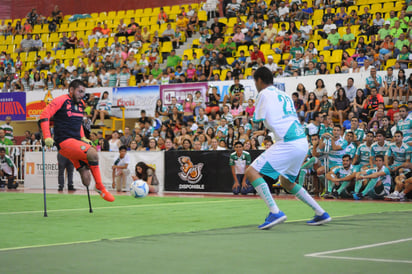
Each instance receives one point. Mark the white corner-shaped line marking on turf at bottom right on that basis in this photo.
(325, 254)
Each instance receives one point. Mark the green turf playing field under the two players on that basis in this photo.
(199, 235)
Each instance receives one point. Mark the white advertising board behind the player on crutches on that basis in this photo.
(33, 169)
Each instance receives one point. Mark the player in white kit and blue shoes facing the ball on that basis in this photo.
(275, 108)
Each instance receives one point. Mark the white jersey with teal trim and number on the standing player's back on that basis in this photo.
(277, 111)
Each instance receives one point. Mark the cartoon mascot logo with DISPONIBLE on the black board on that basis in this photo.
(190, 173)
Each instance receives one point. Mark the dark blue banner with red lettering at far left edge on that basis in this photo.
(13, 104)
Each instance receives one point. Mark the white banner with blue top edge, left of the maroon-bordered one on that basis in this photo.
(136, 99)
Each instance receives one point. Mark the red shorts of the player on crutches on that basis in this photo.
(75, 151)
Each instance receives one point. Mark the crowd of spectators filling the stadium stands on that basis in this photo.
(355, 111)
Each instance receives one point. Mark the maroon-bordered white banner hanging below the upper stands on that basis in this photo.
(180, 91)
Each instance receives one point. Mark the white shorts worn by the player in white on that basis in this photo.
(282, 158)
